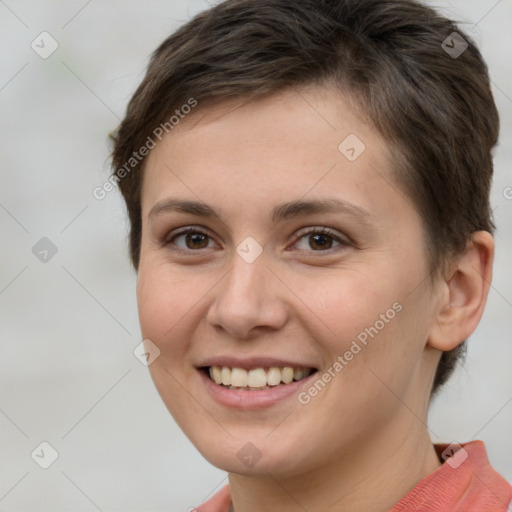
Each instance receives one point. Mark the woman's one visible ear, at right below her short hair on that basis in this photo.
(463, 293)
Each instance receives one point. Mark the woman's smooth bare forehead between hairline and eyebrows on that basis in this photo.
(248, 156)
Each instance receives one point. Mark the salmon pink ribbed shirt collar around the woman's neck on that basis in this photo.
(466, 482)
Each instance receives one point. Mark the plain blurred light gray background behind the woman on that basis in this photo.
(69, 326)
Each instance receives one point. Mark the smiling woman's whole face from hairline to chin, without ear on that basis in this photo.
(277, 246)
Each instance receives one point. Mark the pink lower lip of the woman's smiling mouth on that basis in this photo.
(245, 399)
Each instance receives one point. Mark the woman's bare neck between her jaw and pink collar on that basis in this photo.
(373, 477)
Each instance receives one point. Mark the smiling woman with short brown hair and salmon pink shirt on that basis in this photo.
(308, 190)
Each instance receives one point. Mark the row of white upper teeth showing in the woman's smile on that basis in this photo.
(257, 377)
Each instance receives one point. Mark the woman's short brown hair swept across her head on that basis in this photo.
(433, 107)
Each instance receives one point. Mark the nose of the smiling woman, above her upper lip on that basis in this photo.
(248, 301)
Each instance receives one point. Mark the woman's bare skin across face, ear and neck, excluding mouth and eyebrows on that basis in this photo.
(362, 443)
